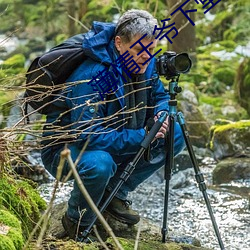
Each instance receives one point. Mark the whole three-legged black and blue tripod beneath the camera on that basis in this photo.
(173, 90)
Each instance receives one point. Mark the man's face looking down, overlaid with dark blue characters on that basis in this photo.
(139, 59)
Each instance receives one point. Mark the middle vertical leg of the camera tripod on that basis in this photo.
(168, 173)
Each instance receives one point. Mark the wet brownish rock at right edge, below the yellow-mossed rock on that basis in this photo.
(231, 169)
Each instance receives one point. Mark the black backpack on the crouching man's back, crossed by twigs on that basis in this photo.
(48, 73)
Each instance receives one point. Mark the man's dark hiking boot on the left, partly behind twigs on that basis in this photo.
(75, 231)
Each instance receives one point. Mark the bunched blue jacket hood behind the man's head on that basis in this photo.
(98, 43)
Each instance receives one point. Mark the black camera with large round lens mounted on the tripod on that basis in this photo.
(171, 65)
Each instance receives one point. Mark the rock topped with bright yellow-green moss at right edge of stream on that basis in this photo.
(232, 139)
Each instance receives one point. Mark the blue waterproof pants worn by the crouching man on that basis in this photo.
(99, 171)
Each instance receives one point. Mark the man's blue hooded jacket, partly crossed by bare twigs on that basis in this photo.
(88, 117)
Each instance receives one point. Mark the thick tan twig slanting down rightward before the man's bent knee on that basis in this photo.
(66, 154)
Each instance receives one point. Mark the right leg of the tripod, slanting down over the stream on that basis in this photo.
(199, 177)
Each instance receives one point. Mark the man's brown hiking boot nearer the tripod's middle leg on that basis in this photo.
(121, 211)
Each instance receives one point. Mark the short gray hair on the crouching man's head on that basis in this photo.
(136, 22)
